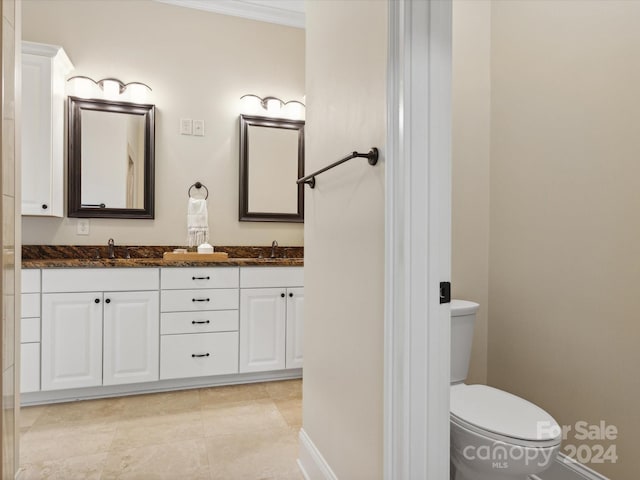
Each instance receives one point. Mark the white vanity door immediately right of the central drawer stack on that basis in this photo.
(262, 329)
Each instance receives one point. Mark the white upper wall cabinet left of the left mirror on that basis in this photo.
(44, 68)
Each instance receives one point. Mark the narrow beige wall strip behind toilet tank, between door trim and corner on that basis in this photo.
(470, 167)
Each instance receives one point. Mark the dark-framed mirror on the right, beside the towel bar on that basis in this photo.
(271, 160)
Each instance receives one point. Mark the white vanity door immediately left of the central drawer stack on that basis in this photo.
(131, 337)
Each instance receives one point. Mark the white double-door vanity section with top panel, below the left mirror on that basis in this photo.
(99, 327)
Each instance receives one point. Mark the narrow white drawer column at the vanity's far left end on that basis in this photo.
(30, 331)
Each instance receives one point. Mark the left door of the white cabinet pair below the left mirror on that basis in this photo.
(71, 340)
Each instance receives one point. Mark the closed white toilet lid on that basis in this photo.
(502, 413)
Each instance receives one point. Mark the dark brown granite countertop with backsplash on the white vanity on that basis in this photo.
(71, 256)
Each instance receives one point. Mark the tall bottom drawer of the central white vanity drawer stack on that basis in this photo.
(198, 355)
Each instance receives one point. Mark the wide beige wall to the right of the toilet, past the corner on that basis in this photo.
(565, 221)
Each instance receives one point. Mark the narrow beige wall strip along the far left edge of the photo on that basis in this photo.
(10, 277)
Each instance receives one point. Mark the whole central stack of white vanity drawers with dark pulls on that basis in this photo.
(199, 321)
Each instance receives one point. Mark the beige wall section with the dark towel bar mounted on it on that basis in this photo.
(344, 236)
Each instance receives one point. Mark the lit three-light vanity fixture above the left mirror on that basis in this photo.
(109, 89)
